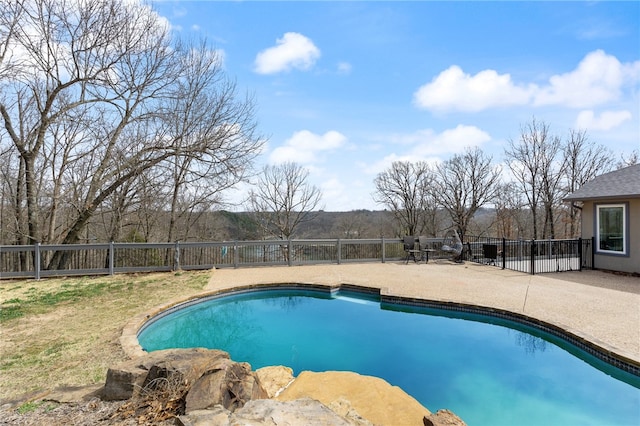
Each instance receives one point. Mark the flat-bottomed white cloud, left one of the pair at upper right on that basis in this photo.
(453, 89)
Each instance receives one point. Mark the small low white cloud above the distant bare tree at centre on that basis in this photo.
(304, 147)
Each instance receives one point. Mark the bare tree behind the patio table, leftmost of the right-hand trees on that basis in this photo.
(405, 188)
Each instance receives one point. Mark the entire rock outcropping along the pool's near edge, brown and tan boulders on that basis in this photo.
(205, 387)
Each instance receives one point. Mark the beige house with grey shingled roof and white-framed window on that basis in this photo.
(611, 215)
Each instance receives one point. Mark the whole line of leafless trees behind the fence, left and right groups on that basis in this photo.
(115, 129)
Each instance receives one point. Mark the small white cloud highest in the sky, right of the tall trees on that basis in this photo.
(293, 50)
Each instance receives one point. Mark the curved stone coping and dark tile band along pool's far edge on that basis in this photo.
(592, 346)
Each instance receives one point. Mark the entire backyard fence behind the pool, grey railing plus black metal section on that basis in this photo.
(35, 261)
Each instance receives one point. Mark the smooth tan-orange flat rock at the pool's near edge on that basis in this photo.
(371, 397)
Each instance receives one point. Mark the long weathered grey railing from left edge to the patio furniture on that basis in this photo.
(35, 261)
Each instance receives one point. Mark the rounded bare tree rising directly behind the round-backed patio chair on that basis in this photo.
(465, 183)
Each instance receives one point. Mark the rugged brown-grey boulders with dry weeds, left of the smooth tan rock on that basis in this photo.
(163, 384)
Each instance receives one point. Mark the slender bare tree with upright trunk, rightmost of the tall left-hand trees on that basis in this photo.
(206, 108)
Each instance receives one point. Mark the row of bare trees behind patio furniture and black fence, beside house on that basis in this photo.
(525, 193)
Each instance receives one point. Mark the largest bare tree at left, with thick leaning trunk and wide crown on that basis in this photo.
(95, 93)
